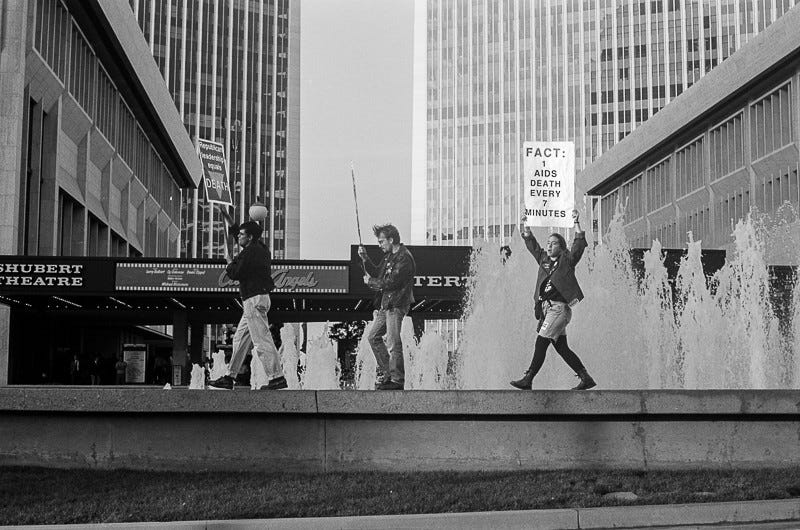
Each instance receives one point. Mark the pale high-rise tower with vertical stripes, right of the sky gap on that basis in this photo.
(502, 72)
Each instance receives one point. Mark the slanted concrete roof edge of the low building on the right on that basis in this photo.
(771, 49)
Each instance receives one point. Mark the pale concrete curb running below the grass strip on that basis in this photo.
(670, 515)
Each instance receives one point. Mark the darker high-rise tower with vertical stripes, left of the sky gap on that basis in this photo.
(233, 70)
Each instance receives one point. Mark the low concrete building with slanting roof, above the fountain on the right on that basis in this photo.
(729, 145)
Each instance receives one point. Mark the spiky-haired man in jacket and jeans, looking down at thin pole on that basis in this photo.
(393, 279)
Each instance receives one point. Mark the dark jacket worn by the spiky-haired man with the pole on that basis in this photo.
(393, 278)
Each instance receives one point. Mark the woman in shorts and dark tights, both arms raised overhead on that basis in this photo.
(557, 290)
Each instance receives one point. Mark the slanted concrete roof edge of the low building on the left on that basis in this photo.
(121, 47)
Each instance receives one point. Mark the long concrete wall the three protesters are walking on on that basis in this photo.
(151, 428)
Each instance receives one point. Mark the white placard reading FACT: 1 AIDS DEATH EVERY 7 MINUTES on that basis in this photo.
(549, 187)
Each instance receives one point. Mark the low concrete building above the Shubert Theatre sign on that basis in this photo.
(94, 154)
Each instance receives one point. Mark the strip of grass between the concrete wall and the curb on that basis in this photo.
(30, 495)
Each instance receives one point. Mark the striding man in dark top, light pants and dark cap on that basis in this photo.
(252, 268)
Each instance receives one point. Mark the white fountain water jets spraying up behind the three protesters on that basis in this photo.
(631, 332)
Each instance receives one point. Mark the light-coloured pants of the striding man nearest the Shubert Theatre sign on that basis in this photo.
(253, 331)
